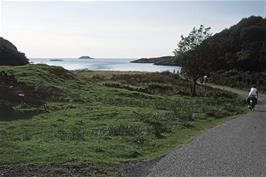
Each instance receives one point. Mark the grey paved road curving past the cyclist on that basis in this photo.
(234, 149)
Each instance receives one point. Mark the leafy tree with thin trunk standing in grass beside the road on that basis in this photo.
(189, 56)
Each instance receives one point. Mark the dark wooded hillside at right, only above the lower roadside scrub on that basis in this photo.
(241, 47)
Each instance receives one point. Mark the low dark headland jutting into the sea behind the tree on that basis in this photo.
(166, 60)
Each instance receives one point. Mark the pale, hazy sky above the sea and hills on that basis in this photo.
(113, 29)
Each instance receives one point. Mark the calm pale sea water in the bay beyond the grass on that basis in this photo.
(105, 64)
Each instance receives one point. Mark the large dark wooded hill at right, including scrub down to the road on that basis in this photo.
(236, 57)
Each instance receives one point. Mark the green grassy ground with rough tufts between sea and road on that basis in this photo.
(99, 120)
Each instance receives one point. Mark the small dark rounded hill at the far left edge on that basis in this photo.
(9, 55)
